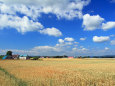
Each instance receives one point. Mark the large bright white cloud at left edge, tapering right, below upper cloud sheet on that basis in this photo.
(22, 25)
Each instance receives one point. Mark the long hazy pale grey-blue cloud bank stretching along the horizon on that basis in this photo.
(54, 51)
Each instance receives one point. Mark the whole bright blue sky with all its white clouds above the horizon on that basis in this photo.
(58, 27)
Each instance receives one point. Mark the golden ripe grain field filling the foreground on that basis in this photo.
(57, 72)
